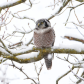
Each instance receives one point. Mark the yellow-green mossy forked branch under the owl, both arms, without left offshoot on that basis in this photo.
(42, 53)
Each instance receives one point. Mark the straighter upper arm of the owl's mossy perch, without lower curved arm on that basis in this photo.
(50, 50)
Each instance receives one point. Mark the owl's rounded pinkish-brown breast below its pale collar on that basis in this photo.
(44, 39)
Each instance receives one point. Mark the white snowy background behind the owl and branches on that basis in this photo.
(41, 9)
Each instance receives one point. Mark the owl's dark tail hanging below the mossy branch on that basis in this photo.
(48, 60)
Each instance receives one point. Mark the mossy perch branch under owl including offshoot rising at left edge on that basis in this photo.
(41, 54)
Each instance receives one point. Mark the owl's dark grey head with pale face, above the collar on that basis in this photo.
(42, 24)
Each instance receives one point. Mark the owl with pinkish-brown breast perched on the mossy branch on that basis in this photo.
(44, 37)
